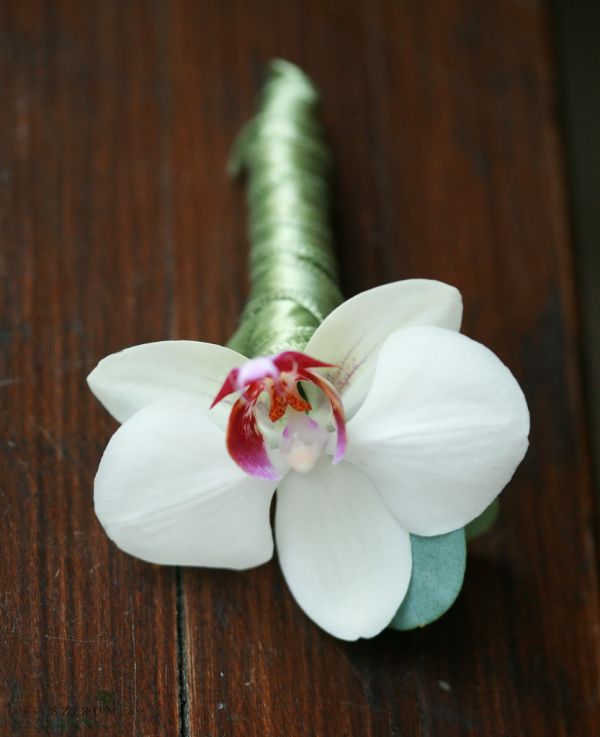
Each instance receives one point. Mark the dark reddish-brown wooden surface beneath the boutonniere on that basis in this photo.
(119, 226)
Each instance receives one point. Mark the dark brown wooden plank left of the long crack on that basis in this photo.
(88, 635)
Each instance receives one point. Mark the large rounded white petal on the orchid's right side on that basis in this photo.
(442, 430)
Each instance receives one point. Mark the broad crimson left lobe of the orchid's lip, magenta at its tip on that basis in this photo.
(245, 442)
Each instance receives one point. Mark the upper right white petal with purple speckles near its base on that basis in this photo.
(352, 335)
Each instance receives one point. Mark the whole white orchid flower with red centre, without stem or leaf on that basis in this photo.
(403, 425)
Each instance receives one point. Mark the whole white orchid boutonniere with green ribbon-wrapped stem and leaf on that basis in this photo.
(379, 428)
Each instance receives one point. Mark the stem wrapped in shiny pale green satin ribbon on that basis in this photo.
(293, 271)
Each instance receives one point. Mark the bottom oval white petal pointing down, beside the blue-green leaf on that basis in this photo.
(346, 560)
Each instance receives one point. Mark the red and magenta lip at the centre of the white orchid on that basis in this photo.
(303, 440)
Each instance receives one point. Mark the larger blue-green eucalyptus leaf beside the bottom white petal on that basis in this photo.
(437, 575)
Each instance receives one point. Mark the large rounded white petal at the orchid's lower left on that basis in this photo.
(168, 492)
